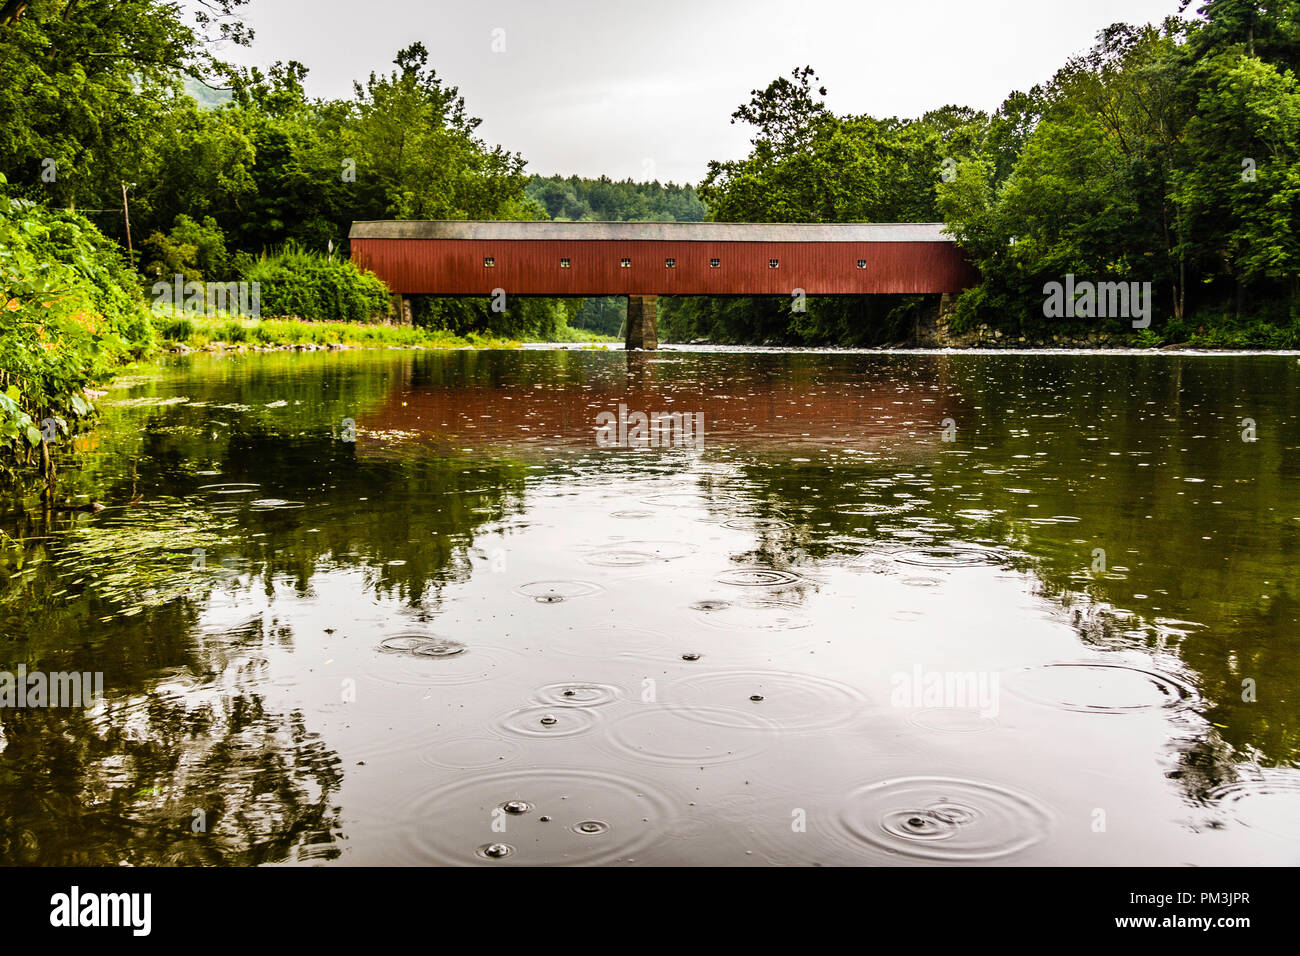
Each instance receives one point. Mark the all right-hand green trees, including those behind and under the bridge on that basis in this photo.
(1167, 155)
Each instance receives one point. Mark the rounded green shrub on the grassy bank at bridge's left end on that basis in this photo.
(307, 285)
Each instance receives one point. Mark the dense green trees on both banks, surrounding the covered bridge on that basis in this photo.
(1167, 154)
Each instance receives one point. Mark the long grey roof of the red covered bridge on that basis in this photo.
(679, 232)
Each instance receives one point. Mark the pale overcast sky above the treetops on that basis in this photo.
(645, 89)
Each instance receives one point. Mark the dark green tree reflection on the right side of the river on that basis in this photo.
(1208, 583)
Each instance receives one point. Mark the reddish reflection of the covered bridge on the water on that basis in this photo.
(739, 406)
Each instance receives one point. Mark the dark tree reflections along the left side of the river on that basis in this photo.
(185, 726)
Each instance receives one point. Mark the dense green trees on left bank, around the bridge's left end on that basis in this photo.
(254, 181)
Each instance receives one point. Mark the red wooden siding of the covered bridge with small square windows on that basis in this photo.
(532, 267)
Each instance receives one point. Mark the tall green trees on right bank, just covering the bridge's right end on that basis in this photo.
(1165, 154)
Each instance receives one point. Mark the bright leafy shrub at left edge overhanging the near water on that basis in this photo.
(71, 312)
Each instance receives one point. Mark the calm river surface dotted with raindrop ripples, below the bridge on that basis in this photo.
(404, 608)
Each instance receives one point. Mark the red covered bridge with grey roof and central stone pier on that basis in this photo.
(644, 261)
